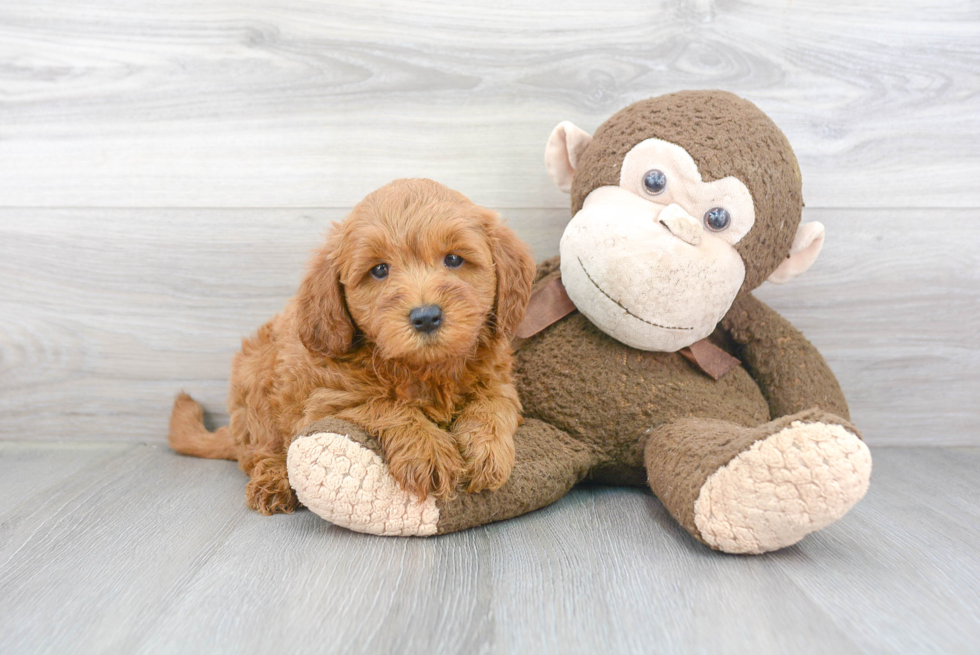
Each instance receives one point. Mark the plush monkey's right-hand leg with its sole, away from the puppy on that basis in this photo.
(754, 490)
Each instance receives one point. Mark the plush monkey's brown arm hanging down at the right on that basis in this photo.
(791, 373)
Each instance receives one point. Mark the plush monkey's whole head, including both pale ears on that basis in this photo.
(682, 203)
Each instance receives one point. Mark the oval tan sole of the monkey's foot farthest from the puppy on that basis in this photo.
(792, 483)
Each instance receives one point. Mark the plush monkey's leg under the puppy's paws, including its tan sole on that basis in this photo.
(338, 472)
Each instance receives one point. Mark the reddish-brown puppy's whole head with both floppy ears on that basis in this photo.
(420, 271)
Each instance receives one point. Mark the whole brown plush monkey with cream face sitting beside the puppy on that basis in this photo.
(682, 205)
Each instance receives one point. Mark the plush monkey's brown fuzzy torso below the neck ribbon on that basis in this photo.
(602, 392)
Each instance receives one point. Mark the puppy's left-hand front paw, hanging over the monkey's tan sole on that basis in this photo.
(424, 464)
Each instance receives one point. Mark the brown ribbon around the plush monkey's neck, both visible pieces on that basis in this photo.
(550, 303)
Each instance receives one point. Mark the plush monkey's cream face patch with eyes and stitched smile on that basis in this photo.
(652, 261)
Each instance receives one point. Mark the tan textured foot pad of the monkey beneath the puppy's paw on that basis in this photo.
(345, 483)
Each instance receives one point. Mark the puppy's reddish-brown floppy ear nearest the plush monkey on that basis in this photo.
(515, 268)
